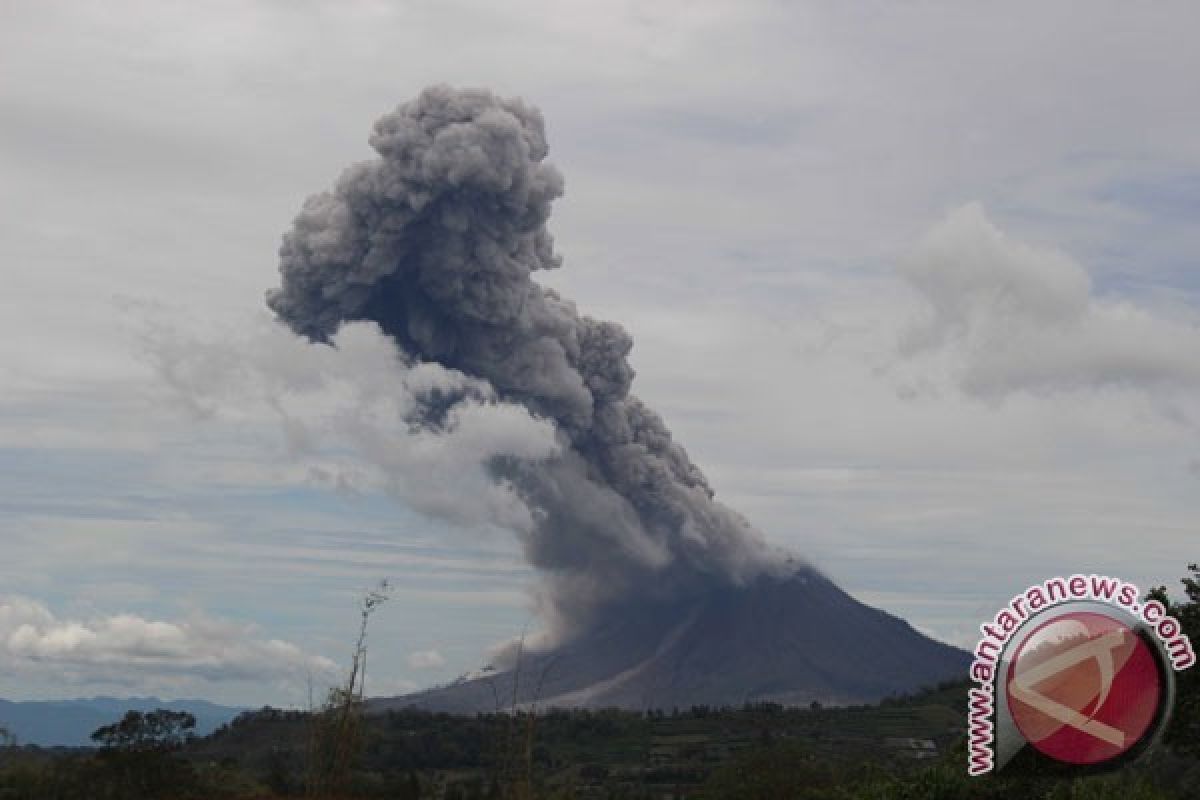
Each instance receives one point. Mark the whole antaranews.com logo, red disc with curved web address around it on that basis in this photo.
(1079, 669)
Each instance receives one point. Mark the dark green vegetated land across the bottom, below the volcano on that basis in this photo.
(903, 749)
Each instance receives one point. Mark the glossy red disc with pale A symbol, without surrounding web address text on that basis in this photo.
(1084, 689)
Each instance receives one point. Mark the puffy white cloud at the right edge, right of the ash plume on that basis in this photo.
(1017, 317)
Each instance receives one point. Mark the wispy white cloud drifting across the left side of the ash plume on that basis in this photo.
(345, 412)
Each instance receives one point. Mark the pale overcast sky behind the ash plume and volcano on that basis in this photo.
(916, 285)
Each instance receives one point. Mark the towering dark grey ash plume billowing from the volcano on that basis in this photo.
(437, 243)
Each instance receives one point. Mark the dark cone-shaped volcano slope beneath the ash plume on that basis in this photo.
(789, 641)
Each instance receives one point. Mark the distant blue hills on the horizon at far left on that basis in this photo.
(69, 724)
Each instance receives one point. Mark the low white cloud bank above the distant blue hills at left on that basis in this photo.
(127, 648)
